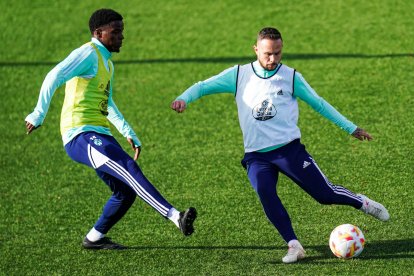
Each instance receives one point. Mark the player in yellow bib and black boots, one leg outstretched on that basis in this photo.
(87, 110)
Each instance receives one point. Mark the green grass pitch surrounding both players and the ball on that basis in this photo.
(358, 55)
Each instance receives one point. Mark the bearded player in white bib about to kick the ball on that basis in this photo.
(266, 93)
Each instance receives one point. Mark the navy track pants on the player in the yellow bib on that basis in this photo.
(120, 172)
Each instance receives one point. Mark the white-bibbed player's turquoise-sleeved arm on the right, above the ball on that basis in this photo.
(305, 92)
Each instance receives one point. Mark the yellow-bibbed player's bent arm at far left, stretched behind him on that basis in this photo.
(78, 63)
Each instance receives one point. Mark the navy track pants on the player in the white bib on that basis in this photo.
(295, 162)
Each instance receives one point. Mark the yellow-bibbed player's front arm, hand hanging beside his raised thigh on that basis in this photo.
(118, 120)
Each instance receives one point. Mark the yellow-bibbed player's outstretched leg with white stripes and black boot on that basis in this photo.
(103, 153)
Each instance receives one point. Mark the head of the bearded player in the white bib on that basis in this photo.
(268, 47)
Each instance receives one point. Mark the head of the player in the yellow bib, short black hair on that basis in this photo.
(106, 25)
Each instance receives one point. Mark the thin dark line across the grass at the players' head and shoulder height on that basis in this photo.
(231, 60)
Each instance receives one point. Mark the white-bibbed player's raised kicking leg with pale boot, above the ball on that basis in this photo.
(298, 165)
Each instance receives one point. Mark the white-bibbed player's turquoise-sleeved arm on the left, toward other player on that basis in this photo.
(225, 82)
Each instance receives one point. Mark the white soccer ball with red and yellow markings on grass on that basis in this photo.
(346, 241)
